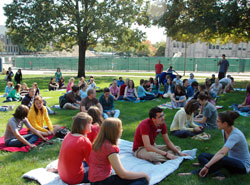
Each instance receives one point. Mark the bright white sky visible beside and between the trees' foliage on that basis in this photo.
(154, 34)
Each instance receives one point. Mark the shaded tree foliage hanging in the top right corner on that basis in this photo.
(206, 20)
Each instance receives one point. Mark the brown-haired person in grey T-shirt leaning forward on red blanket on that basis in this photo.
(12, 136)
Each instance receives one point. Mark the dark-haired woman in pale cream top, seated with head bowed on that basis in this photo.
(183, 125)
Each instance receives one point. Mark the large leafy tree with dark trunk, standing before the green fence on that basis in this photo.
(65, 23)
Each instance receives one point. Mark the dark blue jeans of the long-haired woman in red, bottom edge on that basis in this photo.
(115, 179)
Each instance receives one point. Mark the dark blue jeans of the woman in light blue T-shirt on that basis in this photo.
(231, 164)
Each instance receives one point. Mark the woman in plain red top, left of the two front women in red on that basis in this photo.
(75, 151)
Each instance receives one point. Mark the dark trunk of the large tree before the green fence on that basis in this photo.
(81, 60)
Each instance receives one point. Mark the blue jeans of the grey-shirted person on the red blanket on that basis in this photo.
(31, 138)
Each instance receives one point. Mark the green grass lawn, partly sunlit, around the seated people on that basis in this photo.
(14, 165)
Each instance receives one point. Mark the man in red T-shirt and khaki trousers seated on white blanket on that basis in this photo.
(144, 146)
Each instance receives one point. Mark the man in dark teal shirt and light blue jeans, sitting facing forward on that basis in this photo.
(107, 102)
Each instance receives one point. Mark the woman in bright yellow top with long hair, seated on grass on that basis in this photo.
(38, 115)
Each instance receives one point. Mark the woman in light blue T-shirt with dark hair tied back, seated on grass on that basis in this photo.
(238, 159)
